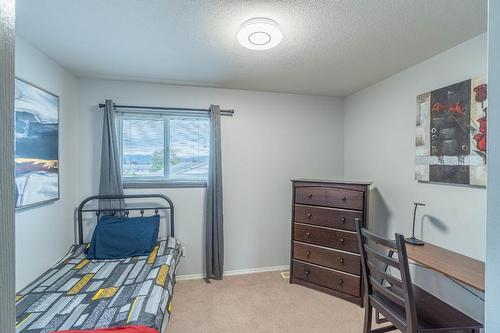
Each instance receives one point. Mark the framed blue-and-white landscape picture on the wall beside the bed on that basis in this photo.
(37, 145)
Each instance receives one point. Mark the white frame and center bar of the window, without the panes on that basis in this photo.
(156, 182)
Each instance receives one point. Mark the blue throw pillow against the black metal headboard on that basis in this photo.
(122, 237)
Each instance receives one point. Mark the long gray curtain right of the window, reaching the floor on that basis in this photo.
(214, 241)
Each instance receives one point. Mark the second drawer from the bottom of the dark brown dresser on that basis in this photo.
(339, 260)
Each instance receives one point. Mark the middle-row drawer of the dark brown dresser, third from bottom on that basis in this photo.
(338, 239)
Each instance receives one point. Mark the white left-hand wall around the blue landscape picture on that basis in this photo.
(44, 233)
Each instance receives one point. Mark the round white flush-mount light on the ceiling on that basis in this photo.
(259, 33)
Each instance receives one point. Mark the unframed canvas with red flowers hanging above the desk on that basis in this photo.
(451, 134)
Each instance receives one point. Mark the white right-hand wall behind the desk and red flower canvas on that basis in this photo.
(380, 146)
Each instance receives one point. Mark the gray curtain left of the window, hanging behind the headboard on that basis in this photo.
(111, 177)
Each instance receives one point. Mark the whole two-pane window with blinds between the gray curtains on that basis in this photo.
(167, 148)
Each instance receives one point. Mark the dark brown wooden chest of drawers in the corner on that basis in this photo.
(324, 248)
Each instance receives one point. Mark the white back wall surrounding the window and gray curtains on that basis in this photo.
(271, 139)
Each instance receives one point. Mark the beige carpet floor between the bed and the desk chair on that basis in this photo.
(263, 302)
